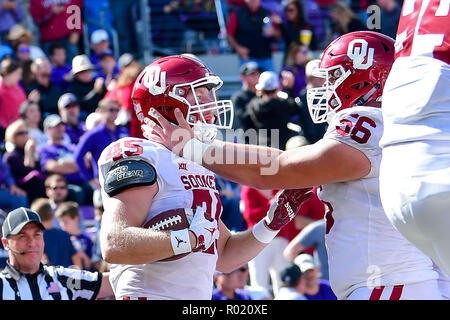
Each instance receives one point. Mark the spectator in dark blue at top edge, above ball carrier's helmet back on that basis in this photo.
(123, 23)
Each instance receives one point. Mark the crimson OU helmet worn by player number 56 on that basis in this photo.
(355, 67)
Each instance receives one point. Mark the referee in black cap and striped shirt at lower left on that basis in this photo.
(26, 278)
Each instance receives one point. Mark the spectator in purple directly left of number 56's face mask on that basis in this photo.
(293, 79)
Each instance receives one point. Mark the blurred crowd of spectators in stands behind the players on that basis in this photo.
(61, 103)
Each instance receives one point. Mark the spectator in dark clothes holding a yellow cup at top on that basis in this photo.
(295, 27)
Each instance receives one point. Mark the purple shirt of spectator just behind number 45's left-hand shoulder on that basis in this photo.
(94, 141)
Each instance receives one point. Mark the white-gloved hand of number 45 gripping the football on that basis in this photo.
(204, 228)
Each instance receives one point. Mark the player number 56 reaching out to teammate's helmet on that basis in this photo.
(368, 257)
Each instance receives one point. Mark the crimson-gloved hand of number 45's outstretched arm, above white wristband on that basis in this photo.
(286, 207)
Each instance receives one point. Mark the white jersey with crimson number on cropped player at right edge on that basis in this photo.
(416, 95)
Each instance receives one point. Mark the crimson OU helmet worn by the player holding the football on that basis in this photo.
(165, 84)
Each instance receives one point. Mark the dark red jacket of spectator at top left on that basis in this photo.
(56, 27)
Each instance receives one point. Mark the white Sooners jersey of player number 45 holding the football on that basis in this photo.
(182, 184)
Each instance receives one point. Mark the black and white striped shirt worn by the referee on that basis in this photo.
(49, 283)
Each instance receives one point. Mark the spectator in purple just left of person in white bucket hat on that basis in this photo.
(60, 68)
